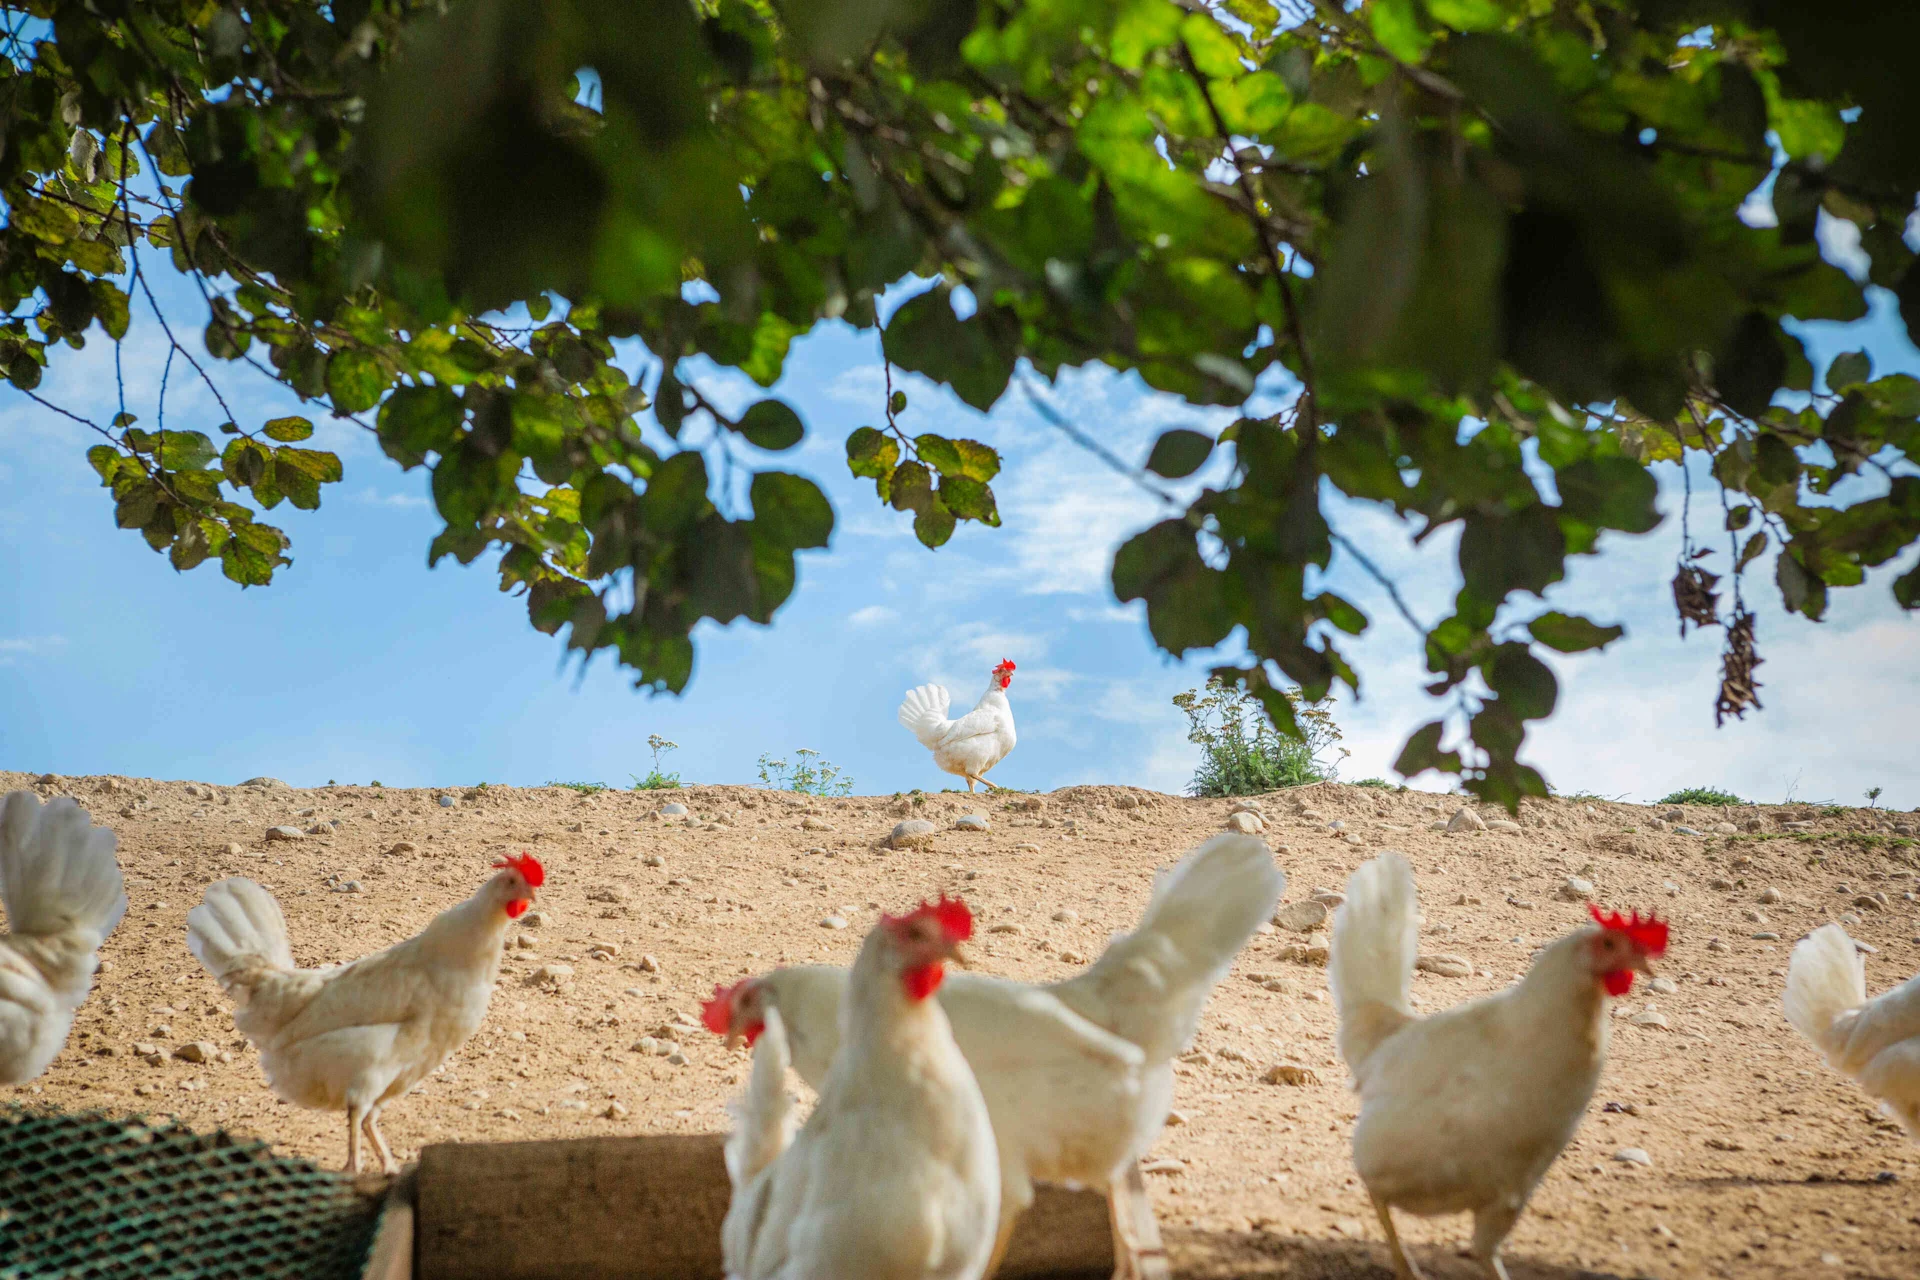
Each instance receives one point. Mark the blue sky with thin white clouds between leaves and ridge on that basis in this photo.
(360, 663)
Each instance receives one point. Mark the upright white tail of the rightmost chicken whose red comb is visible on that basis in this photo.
(1376, 941)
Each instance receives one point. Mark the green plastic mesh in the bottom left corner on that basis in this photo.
(91, 1197)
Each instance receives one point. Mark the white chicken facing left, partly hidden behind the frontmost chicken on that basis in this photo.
(1078, 1076)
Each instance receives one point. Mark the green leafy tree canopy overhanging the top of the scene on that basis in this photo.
(1476, 235)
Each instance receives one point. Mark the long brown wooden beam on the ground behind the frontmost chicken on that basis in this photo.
(650, 1208)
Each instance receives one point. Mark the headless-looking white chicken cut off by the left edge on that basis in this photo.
(62, 893)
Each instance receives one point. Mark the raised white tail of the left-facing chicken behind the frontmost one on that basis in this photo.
(1151, 985)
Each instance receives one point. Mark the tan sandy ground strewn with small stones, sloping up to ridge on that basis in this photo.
(1764, 1162)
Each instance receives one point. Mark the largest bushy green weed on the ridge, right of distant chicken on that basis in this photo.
(1241, 753)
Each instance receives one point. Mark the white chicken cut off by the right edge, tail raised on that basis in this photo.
(1877, 1043)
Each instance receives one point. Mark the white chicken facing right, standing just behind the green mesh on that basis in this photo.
(360, 1035)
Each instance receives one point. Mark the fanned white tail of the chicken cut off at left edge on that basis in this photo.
(57, 868)
